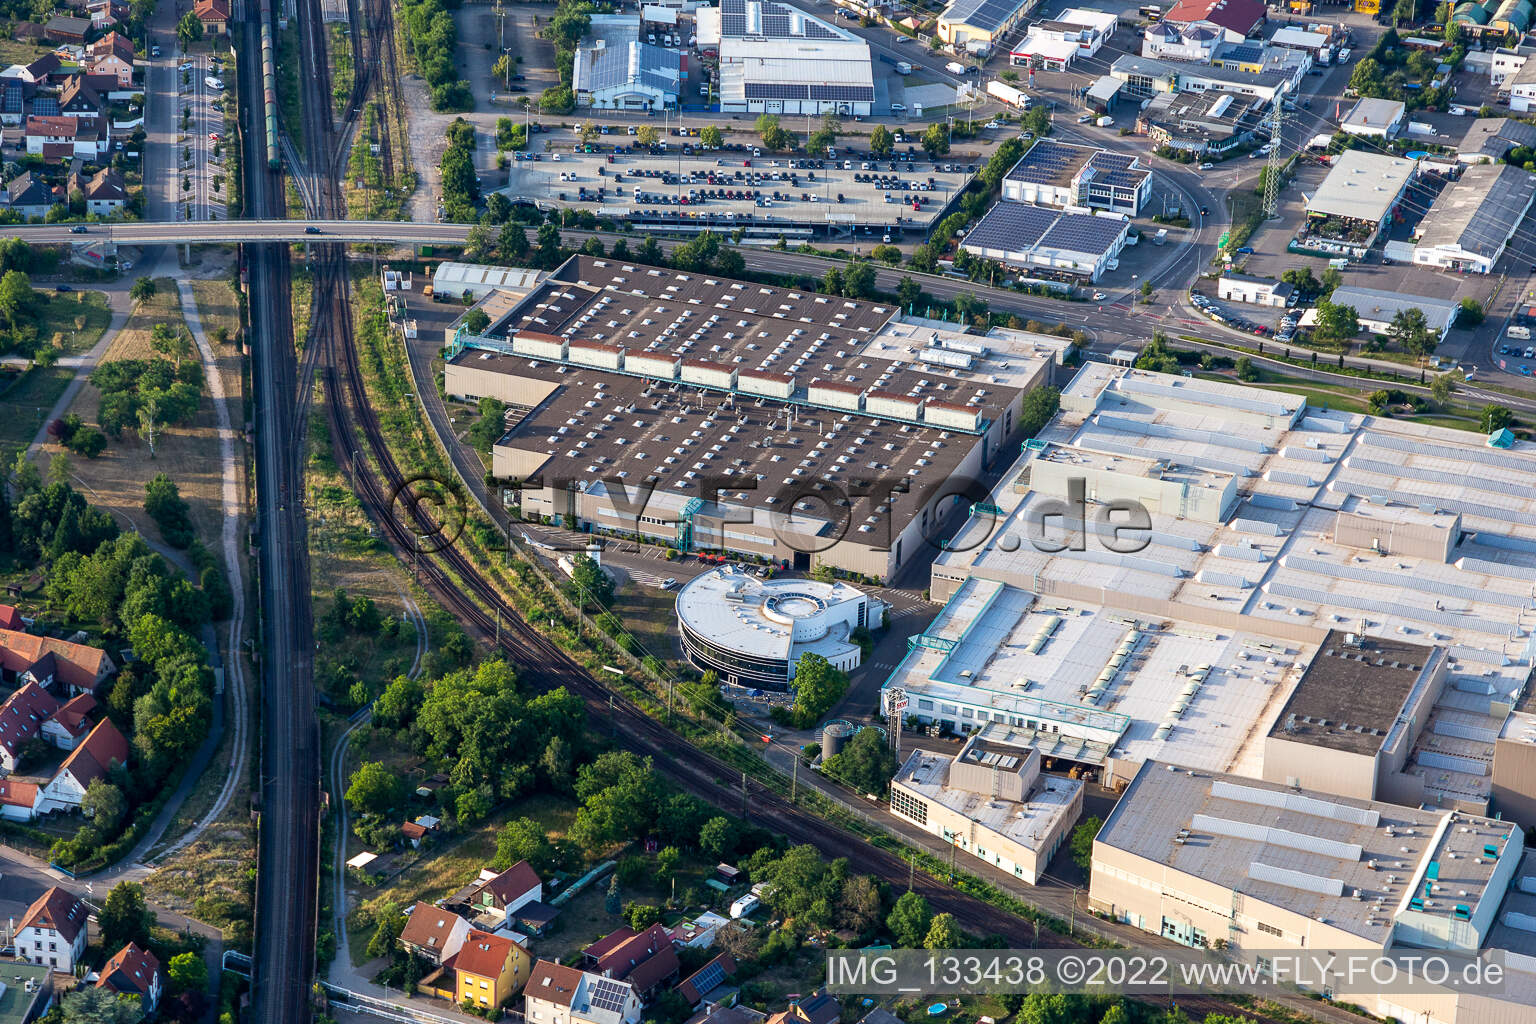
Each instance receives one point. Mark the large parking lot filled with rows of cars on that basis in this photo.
(738, 185)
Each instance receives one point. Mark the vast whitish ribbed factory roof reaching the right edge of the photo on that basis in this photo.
(1274, 566)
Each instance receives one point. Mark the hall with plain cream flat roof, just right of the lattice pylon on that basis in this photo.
(1354, 203)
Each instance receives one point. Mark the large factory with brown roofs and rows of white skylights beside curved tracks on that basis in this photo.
(718, 415)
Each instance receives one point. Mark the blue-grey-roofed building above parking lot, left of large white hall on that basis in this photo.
(615, 70)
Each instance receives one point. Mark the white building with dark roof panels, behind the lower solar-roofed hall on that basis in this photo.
(1078, 177)
